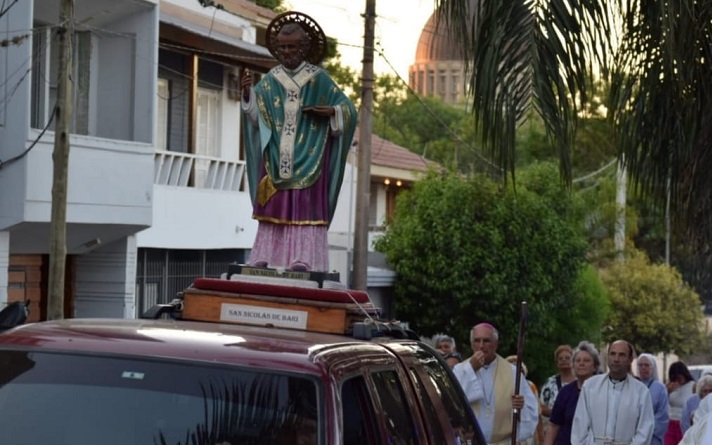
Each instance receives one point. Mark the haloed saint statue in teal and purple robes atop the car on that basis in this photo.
(298, 128)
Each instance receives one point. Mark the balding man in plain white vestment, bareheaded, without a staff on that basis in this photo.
(614, 408)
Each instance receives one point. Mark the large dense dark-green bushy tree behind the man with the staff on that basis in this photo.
(467, 251)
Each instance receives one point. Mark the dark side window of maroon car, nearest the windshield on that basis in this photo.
(358, 418)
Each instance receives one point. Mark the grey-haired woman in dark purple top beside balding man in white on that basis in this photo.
(586, 363)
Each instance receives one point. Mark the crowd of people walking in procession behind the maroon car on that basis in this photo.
(582, 403)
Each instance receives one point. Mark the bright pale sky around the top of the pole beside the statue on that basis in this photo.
(398, 27)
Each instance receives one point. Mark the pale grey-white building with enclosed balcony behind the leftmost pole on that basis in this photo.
(110, 187)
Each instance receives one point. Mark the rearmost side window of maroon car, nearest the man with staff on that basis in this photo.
(462, 420)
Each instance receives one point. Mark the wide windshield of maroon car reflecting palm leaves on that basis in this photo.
(65, 399)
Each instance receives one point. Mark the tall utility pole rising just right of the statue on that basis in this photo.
(363, 186)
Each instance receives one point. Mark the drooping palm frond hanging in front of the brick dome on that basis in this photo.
(524, 55)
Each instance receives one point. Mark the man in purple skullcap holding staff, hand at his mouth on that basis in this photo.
(488, 381)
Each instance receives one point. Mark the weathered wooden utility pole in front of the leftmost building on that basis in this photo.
(60, 159)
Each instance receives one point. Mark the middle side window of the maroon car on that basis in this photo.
(396, 413)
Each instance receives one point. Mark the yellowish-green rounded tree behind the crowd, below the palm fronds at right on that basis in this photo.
(652, 306)
